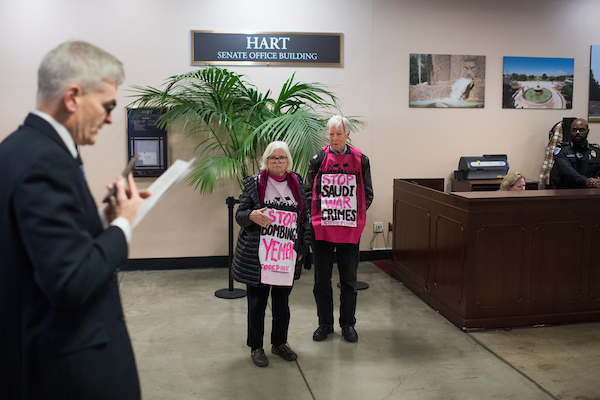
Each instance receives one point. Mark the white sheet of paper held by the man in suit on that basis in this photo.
(162, 186)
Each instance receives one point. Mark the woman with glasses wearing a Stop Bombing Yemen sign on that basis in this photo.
(274, 236)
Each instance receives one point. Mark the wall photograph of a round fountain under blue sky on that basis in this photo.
(538, 83)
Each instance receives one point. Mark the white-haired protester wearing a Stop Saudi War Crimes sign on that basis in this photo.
(338, 183)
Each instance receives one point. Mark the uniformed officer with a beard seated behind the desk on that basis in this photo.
(576, 164)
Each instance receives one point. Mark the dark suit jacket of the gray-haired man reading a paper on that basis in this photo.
(62, 331)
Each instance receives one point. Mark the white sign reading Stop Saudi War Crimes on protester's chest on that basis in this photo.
(338, 200)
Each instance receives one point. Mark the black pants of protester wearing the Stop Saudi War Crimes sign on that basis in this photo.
(347, 260)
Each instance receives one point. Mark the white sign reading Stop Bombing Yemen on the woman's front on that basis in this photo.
(276, 249)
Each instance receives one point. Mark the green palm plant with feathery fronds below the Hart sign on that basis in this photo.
(235, 122)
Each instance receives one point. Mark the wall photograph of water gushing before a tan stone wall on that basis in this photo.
(446, 81)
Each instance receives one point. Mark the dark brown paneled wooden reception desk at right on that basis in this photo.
(499, 259)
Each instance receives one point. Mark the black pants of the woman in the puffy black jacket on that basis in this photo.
(257, 304)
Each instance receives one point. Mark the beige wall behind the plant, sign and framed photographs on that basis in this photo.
(152, 40)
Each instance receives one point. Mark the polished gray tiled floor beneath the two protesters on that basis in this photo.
(190, 344)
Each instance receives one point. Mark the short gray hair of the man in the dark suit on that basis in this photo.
(76, 62)
